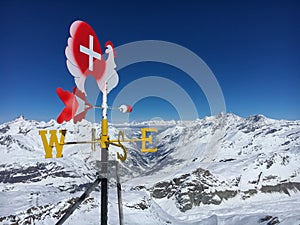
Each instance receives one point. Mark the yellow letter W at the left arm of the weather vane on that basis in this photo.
(53, 142)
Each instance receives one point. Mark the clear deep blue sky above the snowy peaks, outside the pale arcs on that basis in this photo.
(252, 47)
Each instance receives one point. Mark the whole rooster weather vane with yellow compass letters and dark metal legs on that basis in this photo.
(85, 58)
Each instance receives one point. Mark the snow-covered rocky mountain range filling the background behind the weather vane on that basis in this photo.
(218, 170)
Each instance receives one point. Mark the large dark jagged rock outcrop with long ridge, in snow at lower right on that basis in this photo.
(201, 187)
